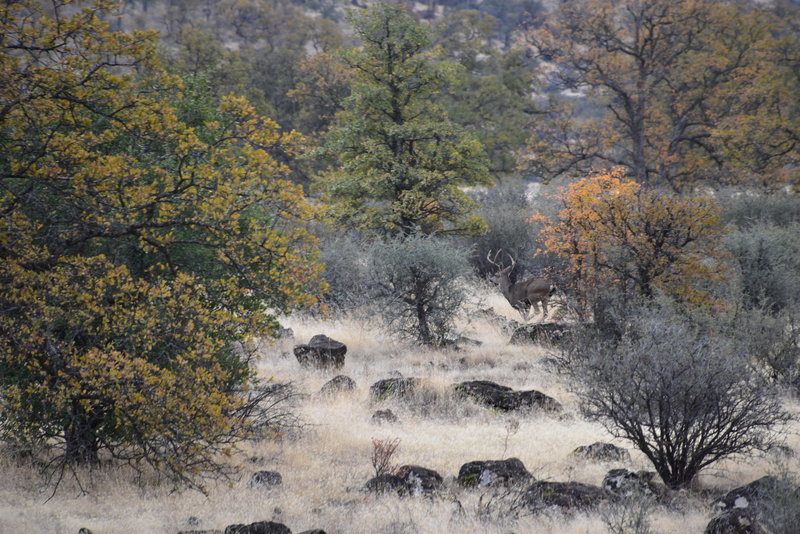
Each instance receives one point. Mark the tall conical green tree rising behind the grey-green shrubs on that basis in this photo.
(400, 162)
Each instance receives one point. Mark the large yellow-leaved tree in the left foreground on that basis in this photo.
(141, 240)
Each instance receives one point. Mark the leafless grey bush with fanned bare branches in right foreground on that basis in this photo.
(684, 396)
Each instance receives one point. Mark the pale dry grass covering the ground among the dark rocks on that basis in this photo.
(326, 466)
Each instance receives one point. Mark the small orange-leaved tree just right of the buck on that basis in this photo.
(615, 234)
